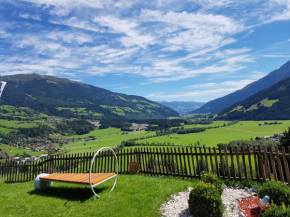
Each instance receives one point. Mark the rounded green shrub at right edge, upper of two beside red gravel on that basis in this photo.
(279, 192)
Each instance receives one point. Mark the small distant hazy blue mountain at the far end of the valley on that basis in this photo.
(182, 107)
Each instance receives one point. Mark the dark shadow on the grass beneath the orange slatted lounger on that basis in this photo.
(68, 193)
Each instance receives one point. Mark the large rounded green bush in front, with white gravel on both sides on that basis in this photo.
(205, 200)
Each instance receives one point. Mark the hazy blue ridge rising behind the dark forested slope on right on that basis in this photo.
(217, 105)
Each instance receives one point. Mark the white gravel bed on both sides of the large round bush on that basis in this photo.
(177, 206)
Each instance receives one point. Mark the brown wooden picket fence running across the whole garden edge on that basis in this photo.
(254, 163)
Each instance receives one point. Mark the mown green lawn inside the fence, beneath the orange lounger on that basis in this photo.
(135, 195)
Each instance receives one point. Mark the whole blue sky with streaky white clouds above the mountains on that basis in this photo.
(171, 50)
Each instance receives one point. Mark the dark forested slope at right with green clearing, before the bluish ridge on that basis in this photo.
(272, 103)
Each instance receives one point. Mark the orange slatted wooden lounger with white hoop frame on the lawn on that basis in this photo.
(93, 179)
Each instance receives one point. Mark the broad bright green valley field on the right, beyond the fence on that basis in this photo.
(244, 130)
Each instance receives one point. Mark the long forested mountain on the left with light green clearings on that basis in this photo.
(63, 97)
